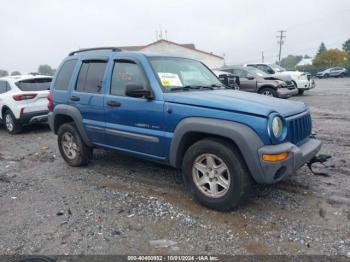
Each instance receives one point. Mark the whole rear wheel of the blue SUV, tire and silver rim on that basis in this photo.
(72, 148)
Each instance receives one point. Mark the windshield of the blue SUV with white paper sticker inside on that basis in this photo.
(180, 73)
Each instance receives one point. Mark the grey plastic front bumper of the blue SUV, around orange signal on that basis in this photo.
(297, 156)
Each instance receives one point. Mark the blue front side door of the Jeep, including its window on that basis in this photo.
(133, 125)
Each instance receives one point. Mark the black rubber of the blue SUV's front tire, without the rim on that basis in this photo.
(240, 180)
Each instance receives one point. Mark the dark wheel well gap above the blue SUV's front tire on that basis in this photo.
(193, 137)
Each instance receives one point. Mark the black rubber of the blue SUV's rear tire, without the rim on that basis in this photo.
(82, 157)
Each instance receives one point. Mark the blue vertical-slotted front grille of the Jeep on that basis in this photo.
(299, 128)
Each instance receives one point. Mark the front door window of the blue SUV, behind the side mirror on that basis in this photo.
(126, 72)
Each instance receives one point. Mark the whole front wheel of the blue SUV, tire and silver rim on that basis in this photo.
(216, 174)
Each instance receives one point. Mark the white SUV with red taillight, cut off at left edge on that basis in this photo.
(23, 100)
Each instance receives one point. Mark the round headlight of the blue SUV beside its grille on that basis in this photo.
(277, 128)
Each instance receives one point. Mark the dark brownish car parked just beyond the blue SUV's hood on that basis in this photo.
(254, 80)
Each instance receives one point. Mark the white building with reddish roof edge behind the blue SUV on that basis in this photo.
(186, 50)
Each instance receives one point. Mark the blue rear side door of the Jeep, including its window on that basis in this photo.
(87, 96)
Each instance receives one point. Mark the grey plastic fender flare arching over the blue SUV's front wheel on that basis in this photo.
(247, 141)
